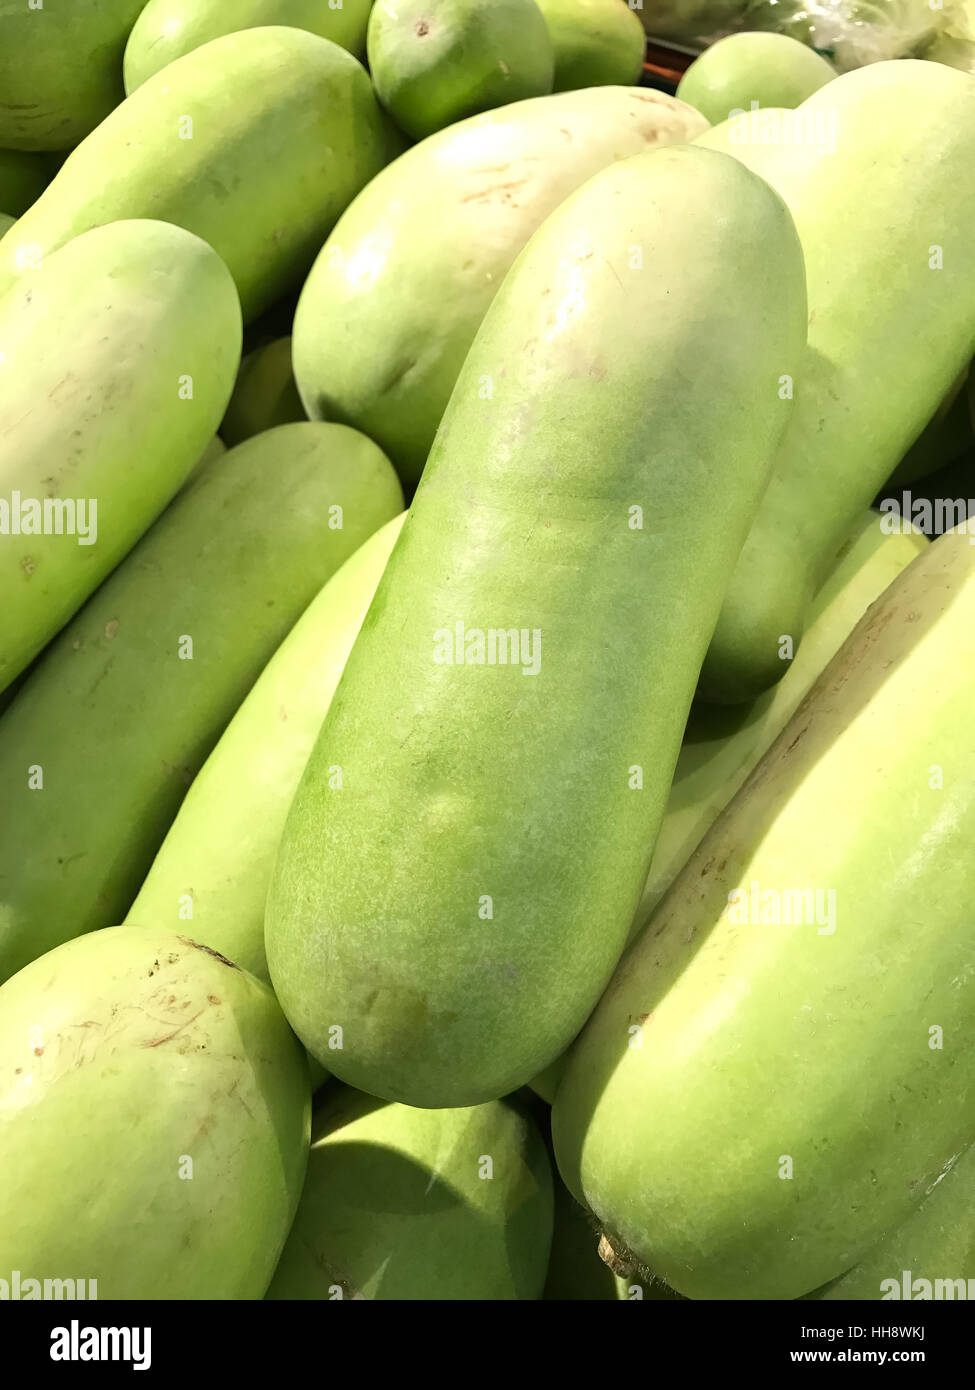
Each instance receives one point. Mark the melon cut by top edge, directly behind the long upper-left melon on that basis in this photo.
(168, 30)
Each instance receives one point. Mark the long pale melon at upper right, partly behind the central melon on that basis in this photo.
(888, 334)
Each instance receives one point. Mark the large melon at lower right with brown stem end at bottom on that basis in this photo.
(781, 1068)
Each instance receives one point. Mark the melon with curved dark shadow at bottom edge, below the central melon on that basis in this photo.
(396, 1206)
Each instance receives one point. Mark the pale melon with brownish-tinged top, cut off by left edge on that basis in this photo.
(119, 359)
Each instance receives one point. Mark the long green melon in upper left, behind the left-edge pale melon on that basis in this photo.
(261, 177)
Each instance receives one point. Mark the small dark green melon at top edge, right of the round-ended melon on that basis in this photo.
(597, 42)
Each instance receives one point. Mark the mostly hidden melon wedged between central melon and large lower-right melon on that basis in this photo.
(723, 746)
